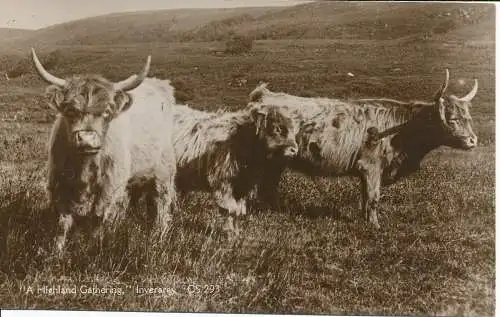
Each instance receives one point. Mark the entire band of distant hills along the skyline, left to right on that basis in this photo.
(317, 20)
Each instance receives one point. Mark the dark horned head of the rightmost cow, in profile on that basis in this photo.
(455, 118)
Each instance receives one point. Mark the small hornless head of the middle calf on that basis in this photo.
(276, 130)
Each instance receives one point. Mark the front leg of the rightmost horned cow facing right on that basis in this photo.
(370, 175)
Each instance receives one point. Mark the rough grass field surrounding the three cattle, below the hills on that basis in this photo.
(433, 255)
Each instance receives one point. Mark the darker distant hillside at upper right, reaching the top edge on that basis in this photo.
(343, 20)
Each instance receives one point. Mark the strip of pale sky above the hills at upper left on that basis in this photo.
(34, 14)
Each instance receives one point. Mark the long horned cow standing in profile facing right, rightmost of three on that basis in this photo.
(334, 139)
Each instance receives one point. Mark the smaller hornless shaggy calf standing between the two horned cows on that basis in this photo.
(223, 152)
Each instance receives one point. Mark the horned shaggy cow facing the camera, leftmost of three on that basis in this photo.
(105, 134)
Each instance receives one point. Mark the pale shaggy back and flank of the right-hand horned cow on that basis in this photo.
(332, 130)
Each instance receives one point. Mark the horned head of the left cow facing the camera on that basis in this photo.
(88, 104)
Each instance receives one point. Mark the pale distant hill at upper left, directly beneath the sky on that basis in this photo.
(133, 27)
